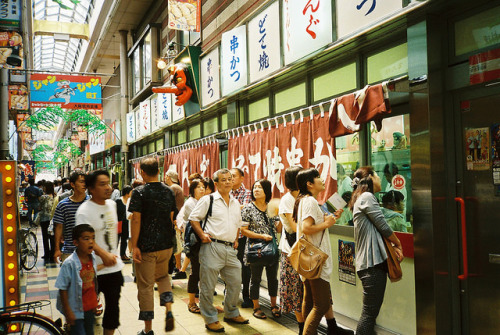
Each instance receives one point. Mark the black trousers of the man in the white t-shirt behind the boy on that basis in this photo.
(111, 285)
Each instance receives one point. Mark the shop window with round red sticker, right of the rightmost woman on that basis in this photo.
(391, 160)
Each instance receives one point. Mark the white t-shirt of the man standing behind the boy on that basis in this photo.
(104, 220)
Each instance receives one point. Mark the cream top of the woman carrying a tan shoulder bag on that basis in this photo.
(309, 207)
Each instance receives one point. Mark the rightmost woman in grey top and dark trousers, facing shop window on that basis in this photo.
(369, 227)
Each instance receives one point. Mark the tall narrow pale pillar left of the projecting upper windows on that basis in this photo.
(124, 103)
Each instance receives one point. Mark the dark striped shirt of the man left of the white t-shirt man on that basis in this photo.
(65, 214)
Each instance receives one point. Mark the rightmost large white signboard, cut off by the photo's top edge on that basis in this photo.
(355, 15)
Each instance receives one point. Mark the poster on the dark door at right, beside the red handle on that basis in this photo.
(477, 148)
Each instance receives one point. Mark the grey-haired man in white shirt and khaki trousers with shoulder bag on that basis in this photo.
(218, 253)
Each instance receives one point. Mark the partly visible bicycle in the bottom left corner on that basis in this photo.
(20, 320)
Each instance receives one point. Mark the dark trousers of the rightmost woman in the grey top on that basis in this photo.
(374, 281)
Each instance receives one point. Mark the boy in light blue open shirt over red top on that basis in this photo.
(77, 298)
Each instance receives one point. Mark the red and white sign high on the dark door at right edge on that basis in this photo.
(484, 67)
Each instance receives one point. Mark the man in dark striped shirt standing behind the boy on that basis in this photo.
(64, 216)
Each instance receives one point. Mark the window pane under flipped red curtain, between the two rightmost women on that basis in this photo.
(348, 158)
